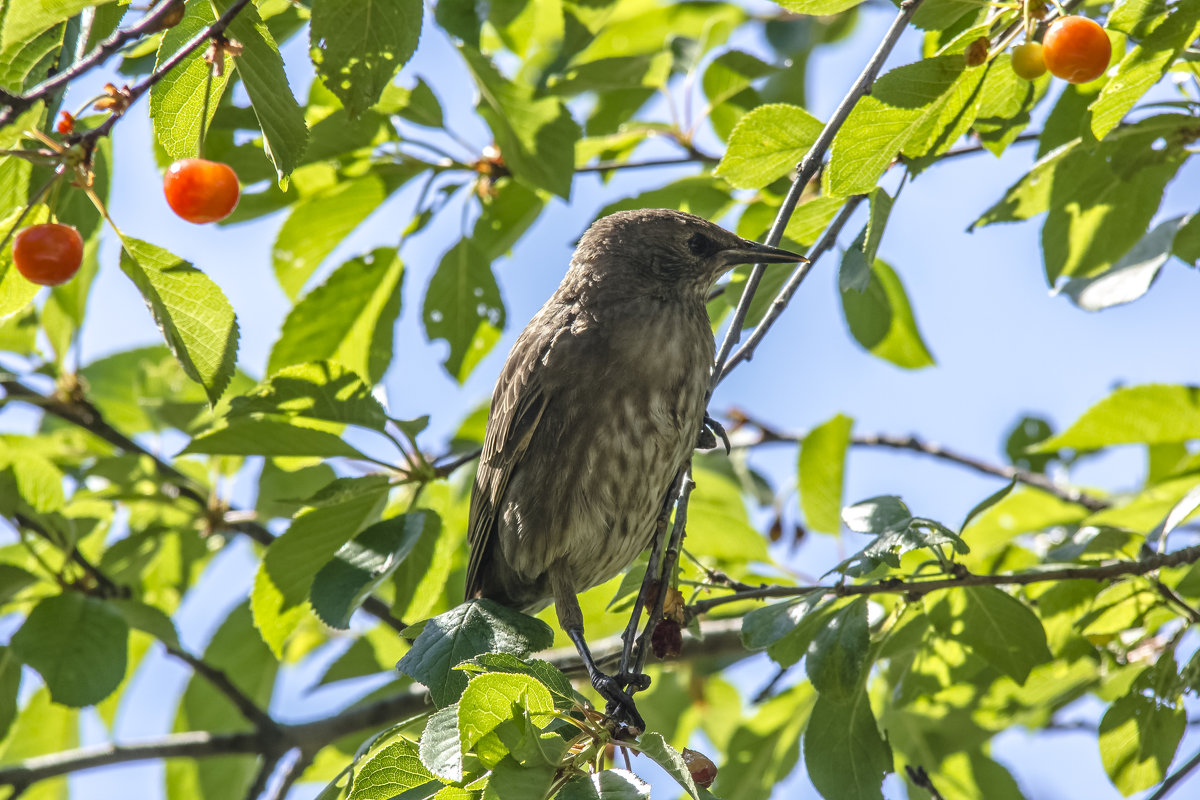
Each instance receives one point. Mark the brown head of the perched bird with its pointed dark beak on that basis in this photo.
(665, 252)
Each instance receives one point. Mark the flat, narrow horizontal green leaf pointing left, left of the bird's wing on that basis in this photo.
(272, 437)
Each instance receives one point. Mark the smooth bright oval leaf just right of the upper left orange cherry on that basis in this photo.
(317, 225)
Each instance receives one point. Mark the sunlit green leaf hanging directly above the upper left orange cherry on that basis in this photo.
(177, 101)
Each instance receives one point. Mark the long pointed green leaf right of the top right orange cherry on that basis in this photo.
(1144, 67)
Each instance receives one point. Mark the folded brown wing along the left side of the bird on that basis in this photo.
(518, 406)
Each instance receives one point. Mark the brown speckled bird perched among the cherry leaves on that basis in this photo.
(597, 410)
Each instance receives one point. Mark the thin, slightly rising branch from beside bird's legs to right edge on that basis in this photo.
(920, 588)
